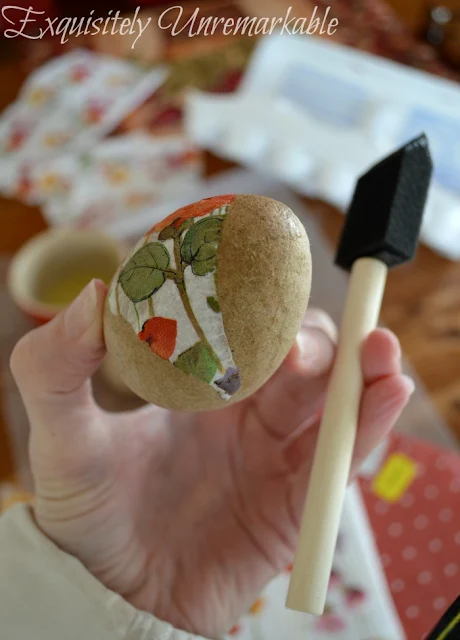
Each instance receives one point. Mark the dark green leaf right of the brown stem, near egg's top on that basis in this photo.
(199, 248)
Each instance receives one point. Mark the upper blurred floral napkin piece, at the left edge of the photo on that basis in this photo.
(67, 106)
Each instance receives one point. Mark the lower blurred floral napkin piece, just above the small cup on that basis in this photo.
(121, 177)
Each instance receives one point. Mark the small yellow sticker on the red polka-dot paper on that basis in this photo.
(394, 478)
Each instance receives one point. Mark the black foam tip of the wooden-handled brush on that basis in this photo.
(385, 215)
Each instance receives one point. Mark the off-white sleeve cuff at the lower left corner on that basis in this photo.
(46, 594)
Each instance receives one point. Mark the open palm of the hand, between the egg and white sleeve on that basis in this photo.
(204, 505)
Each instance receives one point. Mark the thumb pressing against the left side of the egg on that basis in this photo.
(52, 364)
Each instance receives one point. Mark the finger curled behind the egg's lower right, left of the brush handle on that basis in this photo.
(296, 391)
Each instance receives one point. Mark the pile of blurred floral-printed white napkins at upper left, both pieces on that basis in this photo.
(54, 152)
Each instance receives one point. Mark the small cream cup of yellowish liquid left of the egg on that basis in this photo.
(51, 269)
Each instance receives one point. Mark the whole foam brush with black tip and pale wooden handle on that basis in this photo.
(380, 231)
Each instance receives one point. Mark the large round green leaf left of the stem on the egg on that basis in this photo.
(144, 274)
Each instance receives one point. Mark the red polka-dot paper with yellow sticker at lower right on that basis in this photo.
(413, 503)
